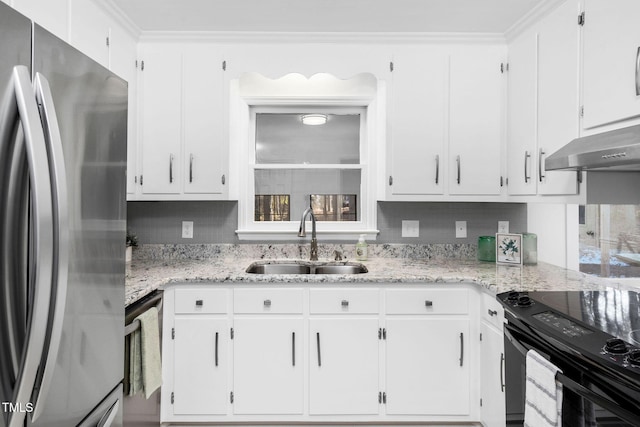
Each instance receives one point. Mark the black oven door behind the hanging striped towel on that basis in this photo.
(589, 398)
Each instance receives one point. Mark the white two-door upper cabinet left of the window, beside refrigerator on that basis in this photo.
(184, 153)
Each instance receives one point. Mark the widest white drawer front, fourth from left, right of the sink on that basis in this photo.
(427, 301)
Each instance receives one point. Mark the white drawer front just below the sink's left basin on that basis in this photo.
(280, 301)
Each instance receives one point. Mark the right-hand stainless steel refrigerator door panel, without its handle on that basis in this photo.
(91, 109)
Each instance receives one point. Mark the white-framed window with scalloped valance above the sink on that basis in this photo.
(287, 166)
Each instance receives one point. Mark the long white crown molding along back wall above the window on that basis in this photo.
(318, 37)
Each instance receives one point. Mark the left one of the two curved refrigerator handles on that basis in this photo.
(41, 205)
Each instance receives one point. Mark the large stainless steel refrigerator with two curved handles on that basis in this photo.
(62, 231)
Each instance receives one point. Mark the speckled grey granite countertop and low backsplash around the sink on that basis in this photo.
(159, 265)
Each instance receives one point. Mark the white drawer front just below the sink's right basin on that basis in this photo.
(331, 301)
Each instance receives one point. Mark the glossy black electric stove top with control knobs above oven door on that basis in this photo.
(592, 336)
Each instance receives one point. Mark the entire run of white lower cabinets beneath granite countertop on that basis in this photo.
(383, 354)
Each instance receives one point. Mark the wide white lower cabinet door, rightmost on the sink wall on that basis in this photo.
(427, 366)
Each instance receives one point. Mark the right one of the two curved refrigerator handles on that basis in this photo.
(58, 176)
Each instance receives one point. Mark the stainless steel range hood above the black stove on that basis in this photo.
(617, 150)
